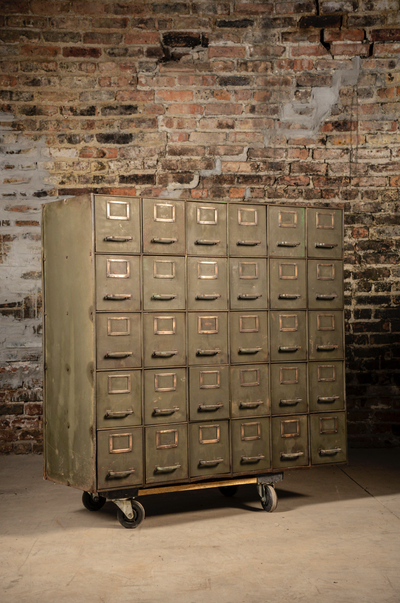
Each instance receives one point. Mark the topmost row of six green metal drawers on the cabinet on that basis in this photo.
(215, 229)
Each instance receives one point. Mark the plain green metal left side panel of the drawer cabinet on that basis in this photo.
(69, 431)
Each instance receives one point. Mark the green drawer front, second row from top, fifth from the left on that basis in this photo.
(288, 284)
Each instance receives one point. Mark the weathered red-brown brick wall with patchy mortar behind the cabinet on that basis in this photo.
(251, 100)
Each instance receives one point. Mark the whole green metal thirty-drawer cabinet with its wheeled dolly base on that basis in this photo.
(190, 343)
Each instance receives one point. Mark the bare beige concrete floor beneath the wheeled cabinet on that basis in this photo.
(335, 537)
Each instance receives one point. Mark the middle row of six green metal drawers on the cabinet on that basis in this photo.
(199, 338)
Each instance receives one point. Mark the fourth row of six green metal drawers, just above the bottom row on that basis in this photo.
(202, 393)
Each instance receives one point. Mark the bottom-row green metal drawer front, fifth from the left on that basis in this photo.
(289, 442)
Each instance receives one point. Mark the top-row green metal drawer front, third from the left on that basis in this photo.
(206, 229)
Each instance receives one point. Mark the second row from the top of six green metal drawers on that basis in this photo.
(130, 283)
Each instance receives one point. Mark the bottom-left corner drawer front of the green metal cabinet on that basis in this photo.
(119, 458)
